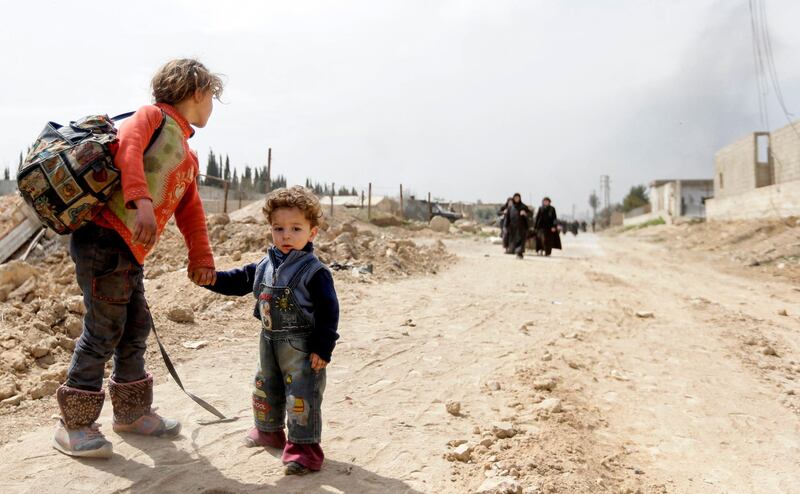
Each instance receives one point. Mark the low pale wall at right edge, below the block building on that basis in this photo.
(774, 201)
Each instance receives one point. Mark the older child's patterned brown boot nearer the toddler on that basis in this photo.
(132, 412)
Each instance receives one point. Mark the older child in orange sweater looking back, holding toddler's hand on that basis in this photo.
(158, 171)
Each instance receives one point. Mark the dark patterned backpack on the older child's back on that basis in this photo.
(69, 173)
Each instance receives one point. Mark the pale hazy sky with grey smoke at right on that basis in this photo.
(468, 100)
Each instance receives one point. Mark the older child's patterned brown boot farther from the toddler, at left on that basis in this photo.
(77, 434)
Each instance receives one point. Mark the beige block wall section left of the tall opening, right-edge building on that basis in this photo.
(734, 168)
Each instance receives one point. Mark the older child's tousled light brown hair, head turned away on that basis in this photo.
(178, 79)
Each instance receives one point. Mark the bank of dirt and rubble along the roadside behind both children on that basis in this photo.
(41, 305)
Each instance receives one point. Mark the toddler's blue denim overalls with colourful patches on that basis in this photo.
(285, 384)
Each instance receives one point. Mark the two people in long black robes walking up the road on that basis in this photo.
(520, 228)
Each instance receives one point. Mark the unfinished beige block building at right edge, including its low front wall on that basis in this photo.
(758, 176)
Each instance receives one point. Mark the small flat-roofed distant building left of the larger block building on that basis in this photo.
(673, 200)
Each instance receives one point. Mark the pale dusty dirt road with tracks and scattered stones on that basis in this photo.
(672, 376)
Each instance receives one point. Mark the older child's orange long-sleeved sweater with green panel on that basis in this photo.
(166, 174)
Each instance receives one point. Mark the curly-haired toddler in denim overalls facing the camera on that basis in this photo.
(299, 312)
